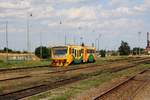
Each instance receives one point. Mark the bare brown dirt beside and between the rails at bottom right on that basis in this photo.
(143, 94)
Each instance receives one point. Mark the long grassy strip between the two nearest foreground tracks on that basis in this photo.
(63, 93)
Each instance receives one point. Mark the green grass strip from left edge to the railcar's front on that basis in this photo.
(19, 64)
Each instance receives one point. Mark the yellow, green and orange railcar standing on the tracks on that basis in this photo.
(72, 54)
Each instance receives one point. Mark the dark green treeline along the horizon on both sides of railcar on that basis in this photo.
(123, 50)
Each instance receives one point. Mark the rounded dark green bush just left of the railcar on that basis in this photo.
(45, 52)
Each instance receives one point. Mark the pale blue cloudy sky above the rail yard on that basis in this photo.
(110, 21)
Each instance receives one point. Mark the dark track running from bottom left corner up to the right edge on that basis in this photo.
(51, 85)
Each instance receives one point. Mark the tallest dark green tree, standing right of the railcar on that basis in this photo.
(124, 49)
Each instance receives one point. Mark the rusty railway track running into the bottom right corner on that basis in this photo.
(125, 90)
